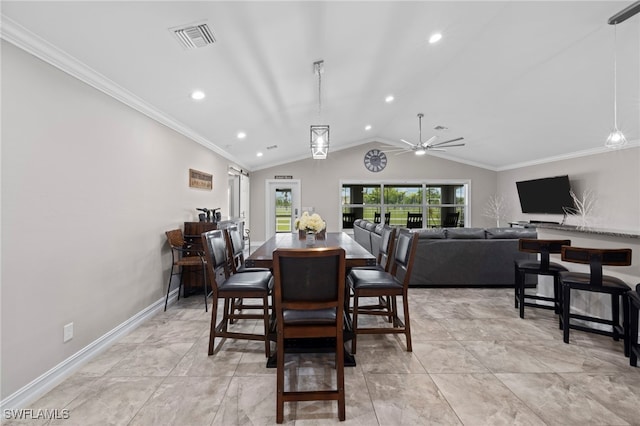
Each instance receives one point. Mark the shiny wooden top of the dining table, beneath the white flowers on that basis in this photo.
(355, 254)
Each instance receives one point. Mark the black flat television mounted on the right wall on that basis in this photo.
(548, 195)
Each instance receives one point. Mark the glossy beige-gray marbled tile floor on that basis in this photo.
(474, 362)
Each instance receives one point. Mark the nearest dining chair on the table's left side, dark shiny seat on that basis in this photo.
(248, 285)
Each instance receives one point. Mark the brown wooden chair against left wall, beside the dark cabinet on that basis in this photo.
(183, 255)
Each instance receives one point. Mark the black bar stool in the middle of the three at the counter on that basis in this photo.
(595, 281)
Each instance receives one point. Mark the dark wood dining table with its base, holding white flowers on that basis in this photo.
(355, 256)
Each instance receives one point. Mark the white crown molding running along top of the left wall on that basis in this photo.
(35, 45)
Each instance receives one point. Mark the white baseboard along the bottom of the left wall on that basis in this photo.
(52, 378)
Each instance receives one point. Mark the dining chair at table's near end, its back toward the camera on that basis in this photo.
(309, 294)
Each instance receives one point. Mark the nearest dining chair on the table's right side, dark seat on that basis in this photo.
(382, 284)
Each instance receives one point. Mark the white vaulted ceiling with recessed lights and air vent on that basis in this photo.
(520, 81)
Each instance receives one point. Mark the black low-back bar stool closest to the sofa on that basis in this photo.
(538, 267)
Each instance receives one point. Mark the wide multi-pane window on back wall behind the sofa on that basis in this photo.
(428, 204)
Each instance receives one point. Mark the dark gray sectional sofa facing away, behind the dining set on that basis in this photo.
(458, 256)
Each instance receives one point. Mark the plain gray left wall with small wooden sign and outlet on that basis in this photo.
(89, 186)
